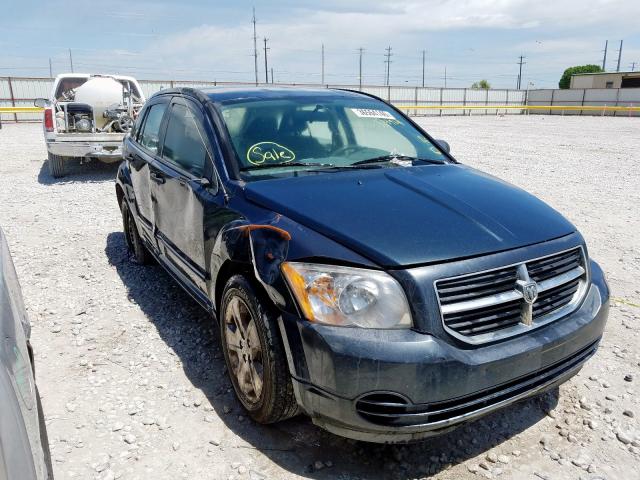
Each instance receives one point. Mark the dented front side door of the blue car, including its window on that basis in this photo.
(180, 196)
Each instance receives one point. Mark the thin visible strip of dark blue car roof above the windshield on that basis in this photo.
(248, 93)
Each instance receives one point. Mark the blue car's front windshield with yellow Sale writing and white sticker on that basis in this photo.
(307, 135)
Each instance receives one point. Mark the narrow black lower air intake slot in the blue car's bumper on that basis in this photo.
(391, 409)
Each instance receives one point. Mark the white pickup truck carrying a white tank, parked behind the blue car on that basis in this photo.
(87, 116)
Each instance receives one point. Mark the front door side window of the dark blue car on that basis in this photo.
(184, 140)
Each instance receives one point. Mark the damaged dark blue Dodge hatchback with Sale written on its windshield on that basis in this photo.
(357, 271)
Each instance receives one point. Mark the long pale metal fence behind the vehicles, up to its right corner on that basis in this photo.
(21, 91)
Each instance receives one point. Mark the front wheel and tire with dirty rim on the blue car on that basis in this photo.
(275, 400)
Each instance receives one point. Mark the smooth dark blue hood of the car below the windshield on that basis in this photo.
(411, 216)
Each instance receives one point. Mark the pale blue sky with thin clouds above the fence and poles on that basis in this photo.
(212, 40)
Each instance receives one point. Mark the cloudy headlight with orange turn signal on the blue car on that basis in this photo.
(345, 296)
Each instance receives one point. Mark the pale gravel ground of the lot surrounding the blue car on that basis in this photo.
(132, 376)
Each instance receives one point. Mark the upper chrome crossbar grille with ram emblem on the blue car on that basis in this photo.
(486, 305)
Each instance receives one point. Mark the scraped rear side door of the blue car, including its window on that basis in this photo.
(140, 151)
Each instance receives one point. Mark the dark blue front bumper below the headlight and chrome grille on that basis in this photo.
(401, 386)
